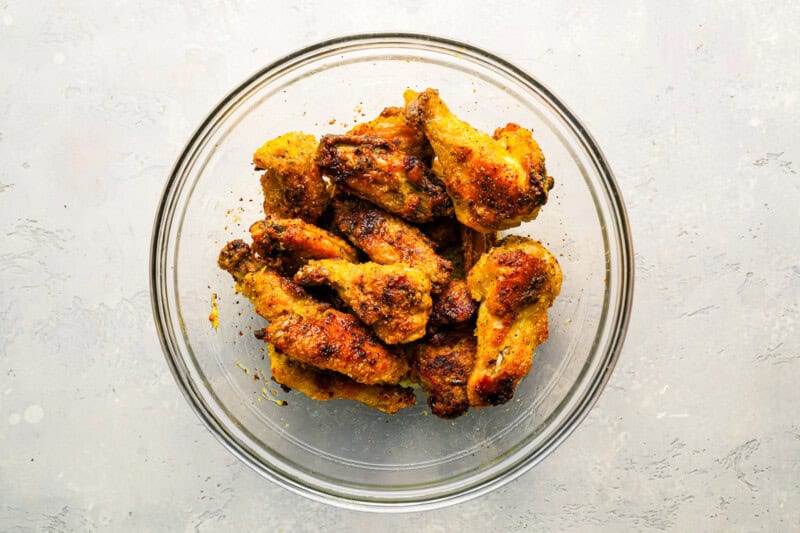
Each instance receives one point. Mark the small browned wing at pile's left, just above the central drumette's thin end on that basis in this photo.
(299, 239)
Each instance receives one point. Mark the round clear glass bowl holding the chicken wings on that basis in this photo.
(340, 452)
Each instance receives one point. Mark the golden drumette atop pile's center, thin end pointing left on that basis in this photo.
(393, 299)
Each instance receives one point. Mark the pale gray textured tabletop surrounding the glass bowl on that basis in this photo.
(697, 111)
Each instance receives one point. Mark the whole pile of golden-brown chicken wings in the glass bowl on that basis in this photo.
(378, 265)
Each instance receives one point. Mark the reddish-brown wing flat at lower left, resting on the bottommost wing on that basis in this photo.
(336, 341)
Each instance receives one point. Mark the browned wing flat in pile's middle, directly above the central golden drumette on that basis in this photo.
(388, 240)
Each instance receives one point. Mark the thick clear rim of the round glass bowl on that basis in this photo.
(619, 321)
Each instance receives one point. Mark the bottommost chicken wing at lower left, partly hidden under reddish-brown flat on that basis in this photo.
(325, 385)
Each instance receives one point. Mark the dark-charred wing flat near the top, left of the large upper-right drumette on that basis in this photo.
(373, 169)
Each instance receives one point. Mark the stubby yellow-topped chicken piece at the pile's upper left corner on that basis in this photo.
(292, 183)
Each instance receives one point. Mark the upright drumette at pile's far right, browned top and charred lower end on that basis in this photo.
(516, 283)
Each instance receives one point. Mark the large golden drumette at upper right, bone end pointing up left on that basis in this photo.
(495, 183)
